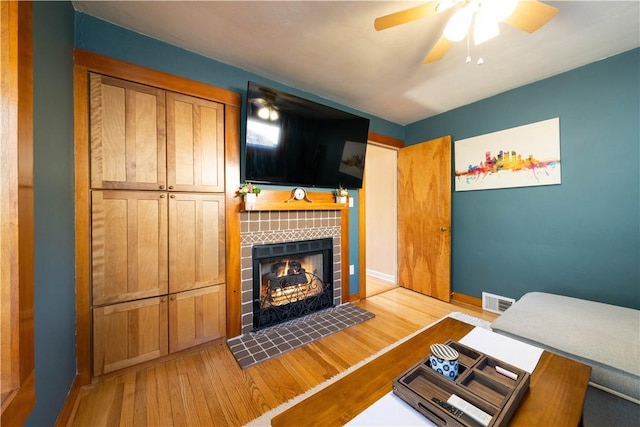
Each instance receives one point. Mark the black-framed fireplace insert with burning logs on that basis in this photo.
(291, 280)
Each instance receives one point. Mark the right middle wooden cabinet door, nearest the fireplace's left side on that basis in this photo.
(196, 241)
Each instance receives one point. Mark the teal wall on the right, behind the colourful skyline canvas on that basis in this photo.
(580, 238)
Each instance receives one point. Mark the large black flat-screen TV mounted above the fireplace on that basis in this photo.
(294, 141)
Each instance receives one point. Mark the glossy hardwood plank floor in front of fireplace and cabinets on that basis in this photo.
(206, 387)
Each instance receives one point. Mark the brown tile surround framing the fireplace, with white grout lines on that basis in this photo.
(269, 227)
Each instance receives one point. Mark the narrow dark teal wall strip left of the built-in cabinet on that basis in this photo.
(54, 283)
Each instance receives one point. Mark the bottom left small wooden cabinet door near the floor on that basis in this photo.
(128, 333)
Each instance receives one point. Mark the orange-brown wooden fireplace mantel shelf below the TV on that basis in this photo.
(282, 200)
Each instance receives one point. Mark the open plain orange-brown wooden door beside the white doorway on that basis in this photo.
(424, 217)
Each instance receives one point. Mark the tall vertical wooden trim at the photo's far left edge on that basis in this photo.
(17, 352)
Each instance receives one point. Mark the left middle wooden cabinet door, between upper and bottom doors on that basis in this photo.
(128, 245)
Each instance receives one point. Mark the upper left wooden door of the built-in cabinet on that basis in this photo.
(128, 140)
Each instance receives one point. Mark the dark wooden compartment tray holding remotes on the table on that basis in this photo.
(477, 382)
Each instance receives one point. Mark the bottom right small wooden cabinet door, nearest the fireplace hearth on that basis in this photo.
(196, 317)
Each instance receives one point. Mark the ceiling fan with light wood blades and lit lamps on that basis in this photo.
(527, 15)
